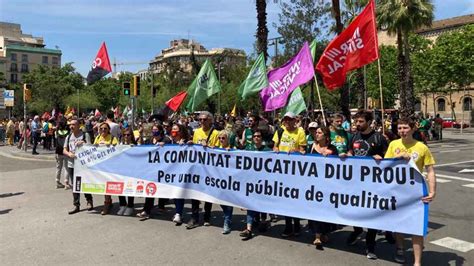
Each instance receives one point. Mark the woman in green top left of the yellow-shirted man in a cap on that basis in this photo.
(254, 217)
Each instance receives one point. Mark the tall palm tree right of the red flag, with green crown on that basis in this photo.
(400, 18)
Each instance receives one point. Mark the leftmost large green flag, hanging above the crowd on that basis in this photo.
(204, 86)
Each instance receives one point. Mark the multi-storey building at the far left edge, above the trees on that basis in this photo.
(20, 53)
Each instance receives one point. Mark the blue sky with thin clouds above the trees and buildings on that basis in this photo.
(136, 31)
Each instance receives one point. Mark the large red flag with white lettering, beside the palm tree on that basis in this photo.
(355, 47)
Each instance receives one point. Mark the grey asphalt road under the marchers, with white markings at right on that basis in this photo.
(36, 229)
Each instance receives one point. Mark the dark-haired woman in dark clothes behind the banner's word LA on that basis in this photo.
(159, 139)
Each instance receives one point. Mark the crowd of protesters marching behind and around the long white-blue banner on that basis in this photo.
(361, 136)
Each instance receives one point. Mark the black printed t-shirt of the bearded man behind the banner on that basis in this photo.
(368, 145)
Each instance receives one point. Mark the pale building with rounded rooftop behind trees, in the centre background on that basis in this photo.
(182, 52)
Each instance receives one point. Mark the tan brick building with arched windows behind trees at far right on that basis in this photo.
(457, 104)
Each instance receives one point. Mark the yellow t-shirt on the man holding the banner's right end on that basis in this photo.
(418, 151)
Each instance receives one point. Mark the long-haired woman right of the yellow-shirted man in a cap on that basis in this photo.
(322, 146)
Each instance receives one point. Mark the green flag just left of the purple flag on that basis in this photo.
(256, 79)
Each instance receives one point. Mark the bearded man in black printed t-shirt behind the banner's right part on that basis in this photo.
(368, 143)
